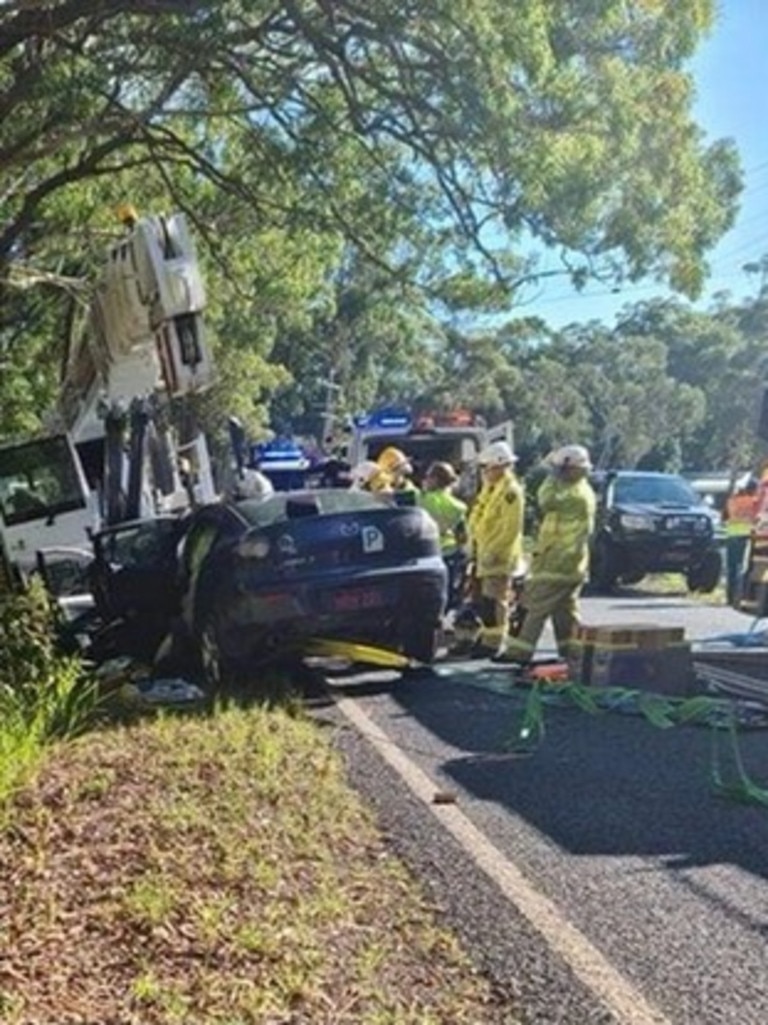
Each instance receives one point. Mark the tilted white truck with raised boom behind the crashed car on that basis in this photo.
(116, 454)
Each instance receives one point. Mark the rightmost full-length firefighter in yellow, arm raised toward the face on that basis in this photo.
(561, 556)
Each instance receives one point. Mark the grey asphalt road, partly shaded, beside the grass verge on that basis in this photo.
(627, 862)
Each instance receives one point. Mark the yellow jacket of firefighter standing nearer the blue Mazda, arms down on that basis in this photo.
(497, 527)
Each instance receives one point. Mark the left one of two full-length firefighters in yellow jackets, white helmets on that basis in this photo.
(496, 525)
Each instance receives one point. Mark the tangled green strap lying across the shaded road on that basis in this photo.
(664, 713)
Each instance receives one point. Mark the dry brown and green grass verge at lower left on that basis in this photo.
(218, 871)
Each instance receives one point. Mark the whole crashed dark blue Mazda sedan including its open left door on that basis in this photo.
(238, 583)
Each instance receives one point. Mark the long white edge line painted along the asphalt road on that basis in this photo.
(617, 993)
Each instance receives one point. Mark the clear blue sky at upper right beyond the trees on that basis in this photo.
(732, 74)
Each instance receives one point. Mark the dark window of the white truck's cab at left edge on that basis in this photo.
(39, 480)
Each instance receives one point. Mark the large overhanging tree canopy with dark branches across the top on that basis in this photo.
(439, 140)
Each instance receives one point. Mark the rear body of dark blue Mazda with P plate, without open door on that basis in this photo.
(263, 577)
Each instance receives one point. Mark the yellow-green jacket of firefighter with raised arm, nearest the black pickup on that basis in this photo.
(562, 550)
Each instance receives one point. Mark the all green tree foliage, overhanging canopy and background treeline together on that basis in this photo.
(355, 176)
